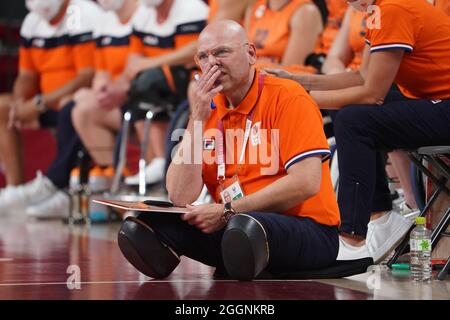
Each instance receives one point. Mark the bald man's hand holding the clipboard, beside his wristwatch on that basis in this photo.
(206, 217)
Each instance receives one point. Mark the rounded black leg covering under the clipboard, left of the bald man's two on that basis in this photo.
(141, 247)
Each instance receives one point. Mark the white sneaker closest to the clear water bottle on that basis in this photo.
(385, 233)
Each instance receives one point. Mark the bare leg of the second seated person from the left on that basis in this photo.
(96, 127)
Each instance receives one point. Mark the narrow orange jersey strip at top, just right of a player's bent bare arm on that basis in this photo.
(336, 12)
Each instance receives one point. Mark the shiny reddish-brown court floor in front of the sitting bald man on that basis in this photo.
(49, 260)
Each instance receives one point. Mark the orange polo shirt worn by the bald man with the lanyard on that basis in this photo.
(286, 128)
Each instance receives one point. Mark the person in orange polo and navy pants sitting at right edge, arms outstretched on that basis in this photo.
(407, 43)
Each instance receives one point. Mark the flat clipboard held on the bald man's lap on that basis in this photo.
(164, 206)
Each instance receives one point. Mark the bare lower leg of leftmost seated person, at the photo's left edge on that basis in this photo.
(10, 145)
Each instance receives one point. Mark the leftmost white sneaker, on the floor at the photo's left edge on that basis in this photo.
(19, 197)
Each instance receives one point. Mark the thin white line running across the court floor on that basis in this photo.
(136, 281)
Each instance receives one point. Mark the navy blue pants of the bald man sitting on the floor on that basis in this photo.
(294, 243)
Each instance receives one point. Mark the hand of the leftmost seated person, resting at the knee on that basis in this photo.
(23, 113)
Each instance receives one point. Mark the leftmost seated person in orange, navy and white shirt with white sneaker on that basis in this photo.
(56, 58)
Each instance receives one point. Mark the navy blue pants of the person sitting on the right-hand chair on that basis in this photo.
(362, 132)
